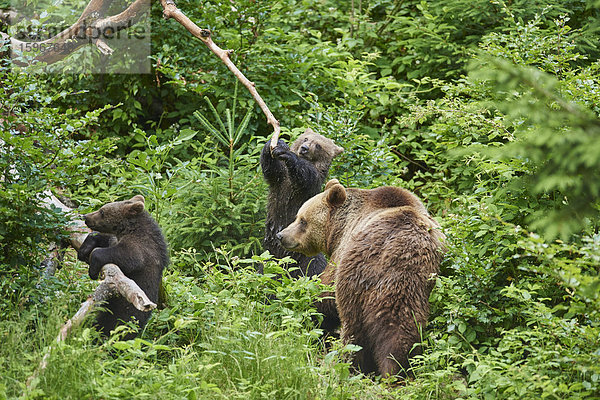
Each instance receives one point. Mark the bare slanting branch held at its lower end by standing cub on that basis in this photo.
(170, 10)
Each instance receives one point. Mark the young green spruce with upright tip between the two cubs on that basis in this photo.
(219, 198)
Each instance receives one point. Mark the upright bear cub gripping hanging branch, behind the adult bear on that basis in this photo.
(295, 175)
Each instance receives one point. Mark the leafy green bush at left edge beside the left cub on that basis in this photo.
(41, 147)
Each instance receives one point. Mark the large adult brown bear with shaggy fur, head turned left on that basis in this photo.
(385, 249)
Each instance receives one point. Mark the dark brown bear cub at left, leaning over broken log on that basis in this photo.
(126, 235)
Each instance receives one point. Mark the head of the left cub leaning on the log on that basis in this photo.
(112, 216)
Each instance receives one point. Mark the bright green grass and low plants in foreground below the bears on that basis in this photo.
(233, 334)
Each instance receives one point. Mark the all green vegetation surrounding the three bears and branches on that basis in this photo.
(487, 110)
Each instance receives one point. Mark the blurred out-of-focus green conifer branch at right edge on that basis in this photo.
(558, 141)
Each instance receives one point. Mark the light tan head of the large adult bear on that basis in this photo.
(308, 233)
